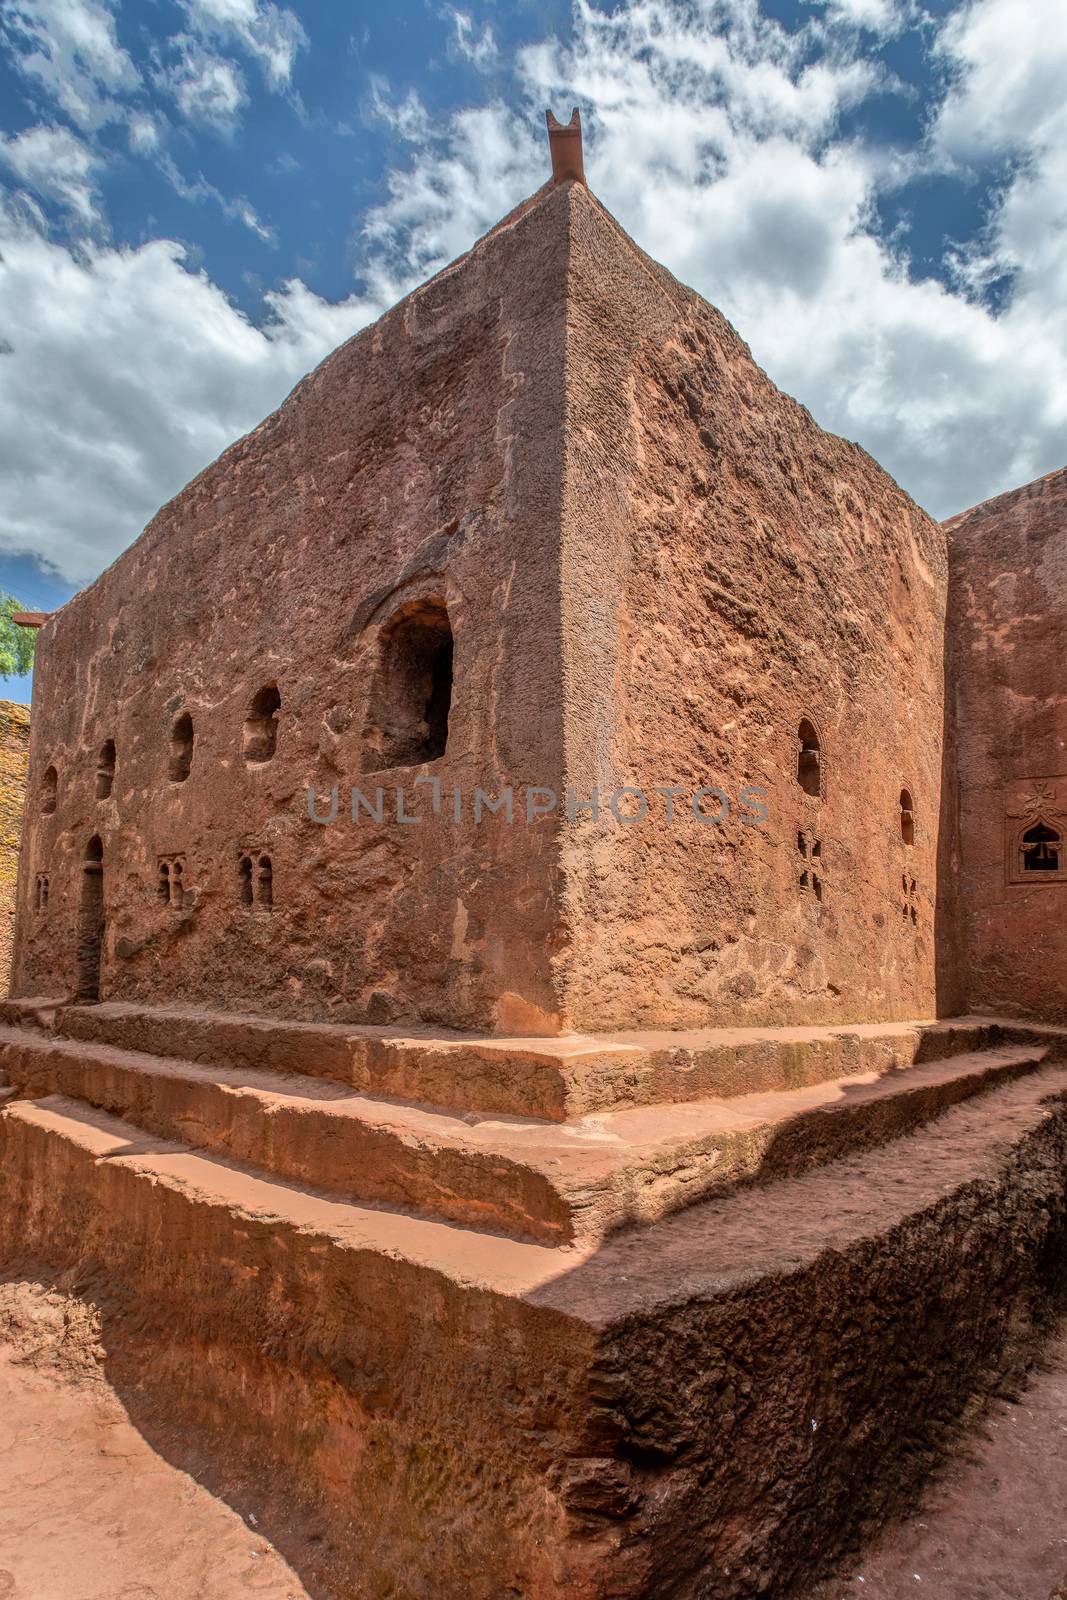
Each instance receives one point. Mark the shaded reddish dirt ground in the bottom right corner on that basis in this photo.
(994, 1527)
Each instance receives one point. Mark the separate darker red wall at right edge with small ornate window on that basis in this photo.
(1009, 650)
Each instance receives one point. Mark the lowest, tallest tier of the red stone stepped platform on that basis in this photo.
(470, 1417)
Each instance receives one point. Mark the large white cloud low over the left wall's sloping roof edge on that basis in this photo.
(127, 374)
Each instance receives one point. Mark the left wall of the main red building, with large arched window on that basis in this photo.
(420, 462)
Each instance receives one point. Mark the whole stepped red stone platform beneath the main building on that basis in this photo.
(567, 1318)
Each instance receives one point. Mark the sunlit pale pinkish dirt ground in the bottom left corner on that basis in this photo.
(89, 1511)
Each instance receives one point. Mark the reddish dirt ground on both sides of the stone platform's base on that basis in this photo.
(89, 1511)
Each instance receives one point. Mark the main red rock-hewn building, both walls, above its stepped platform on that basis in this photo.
(546, 526)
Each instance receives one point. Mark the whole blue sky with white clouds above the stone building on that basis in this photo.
(201, 198)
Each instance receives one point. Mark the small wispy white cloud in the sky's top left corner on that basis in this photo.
(71, 49)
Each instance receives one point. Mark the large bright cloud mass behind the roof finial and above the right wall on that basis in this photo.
(714, 137)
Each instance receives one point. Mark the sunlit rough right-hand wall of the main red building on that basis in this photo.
(730, 570)
